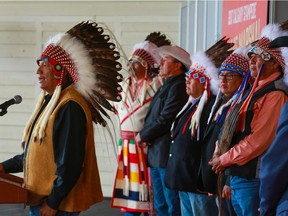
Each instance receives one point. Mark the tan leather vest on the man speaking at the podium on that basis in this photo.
(39, 167)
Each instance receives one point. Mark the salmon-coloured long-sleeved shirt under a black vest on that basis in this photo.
(266, 111)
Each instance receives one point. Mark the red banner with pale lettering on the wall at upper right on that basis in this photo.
(242, 21)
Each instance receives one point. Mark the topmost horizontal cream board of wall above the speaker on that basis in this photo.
(107, 8)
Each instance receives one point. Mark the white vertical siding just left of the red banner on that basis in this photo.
(200, 24)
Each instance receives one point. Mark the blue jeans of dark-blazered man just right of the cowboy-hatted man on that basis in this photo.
(194, 204)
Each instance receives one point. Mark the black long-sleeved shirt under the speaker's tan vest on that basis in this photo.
(69, 137)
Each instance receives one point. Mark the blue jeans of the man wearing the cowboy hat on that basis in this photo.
(166, 201)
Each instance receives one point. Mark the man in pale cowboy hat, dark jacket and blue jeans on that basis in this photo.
(163, 108)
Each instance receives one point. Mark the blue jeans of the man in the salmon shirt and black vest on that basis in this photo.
(245, 196)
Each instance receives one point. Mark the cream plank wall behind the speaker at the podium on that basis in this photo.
(24, 28)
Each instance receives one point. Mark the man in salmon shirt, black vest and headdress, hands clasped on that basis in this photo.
(253, 136)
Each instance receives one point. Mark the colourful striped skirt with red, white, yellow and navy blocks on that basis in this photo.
(131, 187)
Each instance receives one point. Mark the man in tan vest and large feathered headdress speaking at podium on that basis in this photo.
(59, 161)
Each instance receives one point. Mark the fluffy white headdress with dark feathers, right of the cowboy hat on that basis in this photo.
(204, 68)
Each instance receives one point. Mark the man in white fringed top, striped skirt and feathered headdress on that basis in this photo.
(131, 188)
